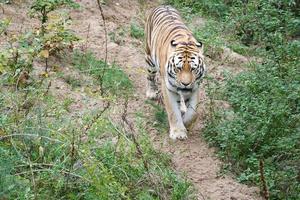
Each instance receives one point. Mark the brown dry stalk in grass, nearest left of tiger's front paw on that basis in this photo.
(137, 145)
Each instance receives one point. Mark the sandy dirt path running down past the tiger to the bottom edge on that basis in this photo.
(193, 156)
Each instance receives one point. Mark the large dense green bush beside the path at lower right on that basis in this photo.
(264, 126)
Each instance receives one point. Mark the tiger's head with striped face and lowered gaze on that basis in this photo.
(185, 64)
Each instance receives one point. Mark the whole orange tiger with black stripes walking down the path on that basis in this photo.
(171, 49)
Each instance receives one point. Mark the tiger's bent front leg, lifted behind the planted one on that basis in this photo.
(190, 115)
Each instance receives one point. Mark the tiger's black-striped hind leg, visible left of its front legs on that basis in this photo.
(152, 89)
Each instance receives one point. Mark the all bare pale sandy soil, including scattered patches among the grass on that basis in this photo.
(193, 156)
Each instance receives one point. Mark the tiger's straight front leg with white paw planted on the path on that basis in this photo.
(177, 128)
